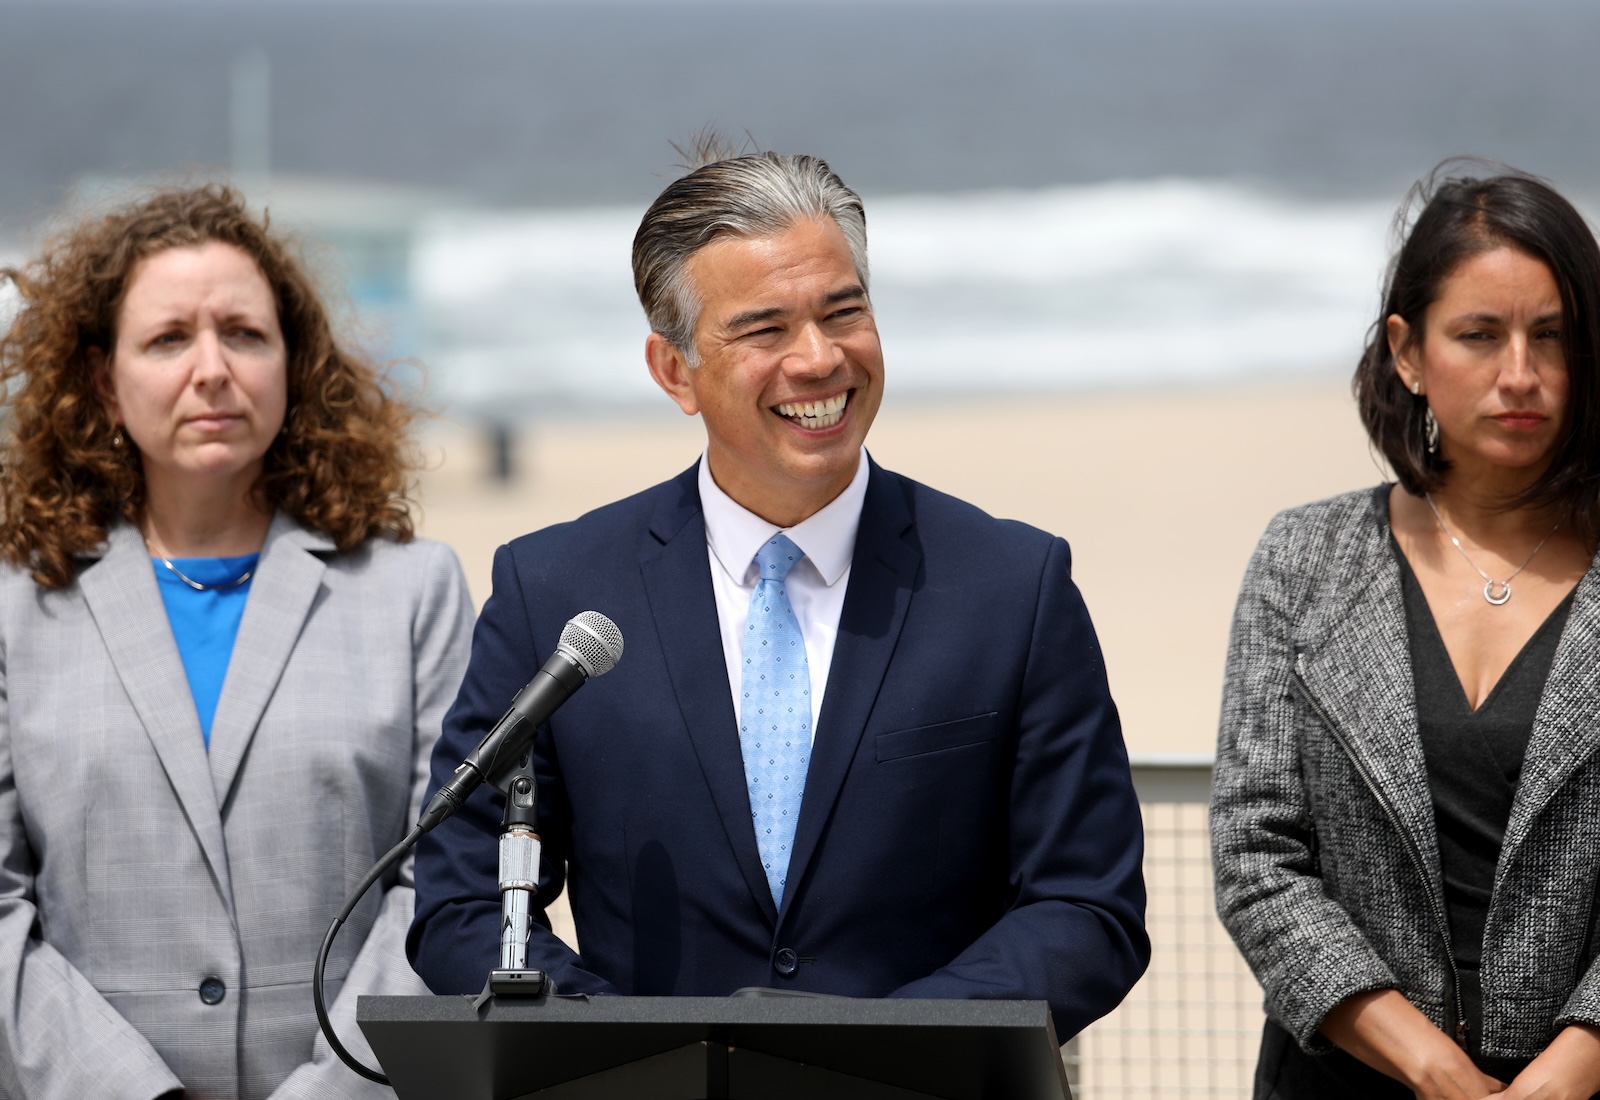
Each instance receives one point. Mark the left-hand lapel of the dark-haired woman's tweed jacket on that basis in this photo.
(1358, 668)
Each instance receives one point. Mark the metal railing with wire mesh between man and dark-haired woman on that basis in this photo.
(1193, 1026)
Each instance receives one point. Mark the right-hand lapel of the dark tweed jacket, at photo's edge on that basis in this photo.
(1564, 733)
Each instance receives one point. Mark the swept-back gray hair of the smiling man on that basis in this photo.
(751, 196)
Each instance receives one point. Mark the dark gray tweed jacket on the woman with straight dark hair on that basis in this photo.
(1322, 826)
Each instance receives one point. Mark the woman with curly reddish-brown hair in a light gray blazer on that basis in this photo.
(223, 664)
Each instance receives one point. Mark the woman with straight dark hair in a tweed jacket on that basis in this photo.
(1406, 816)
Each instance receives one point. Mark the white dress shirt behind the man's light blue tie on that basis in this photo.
(817, 586)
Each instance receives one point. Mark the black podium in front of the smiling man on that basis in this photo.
(714, 1050)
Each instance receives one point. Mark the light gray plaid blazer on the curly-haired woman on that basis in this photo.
(135, 866)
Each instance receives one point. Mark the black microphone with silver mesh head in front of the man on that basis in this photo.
(591, 645)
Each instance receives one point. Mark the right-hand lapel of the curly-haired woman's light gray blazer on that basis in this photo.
(282, 592)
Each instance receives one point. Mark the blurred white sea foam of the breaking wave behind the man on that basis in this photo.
(1116, 285)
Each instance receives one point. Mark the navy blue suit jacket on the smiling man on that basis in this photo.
(969, 826)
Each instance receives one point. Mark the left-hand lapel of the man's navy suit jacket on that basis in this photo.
(676, 570)
